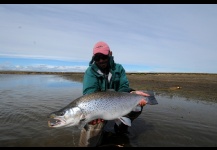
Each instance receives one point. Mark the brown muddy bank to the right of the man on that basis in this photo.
(196, 86)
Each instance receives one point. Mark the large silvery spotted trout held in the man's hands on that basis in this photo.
(109, 105)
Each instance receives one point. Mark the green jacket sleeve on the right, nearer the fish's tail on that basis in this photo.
(124, 83)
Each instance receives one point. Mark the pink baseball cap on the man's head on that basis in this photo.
(101, 47)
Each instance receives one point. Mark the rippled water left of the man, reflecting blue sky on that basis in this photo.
(25, 102)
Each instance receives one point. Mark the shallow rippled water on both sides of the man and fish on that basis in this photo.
(26, 100)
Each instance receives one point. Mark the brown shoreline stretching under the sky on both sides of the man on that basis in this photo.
(201, 86)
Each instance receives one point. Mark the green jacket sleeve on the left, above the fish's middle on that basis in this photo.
(90, 82)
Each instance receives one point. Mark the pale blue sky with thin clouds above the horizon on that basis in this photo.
(142, 37)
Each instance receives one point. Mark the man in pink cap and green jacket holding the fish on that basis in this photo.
(101, 75)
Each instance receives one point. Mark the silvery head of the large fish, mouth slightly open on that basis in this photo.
(65, 117)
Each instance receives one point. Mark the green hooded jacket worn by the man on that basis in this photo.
(94, 80)
